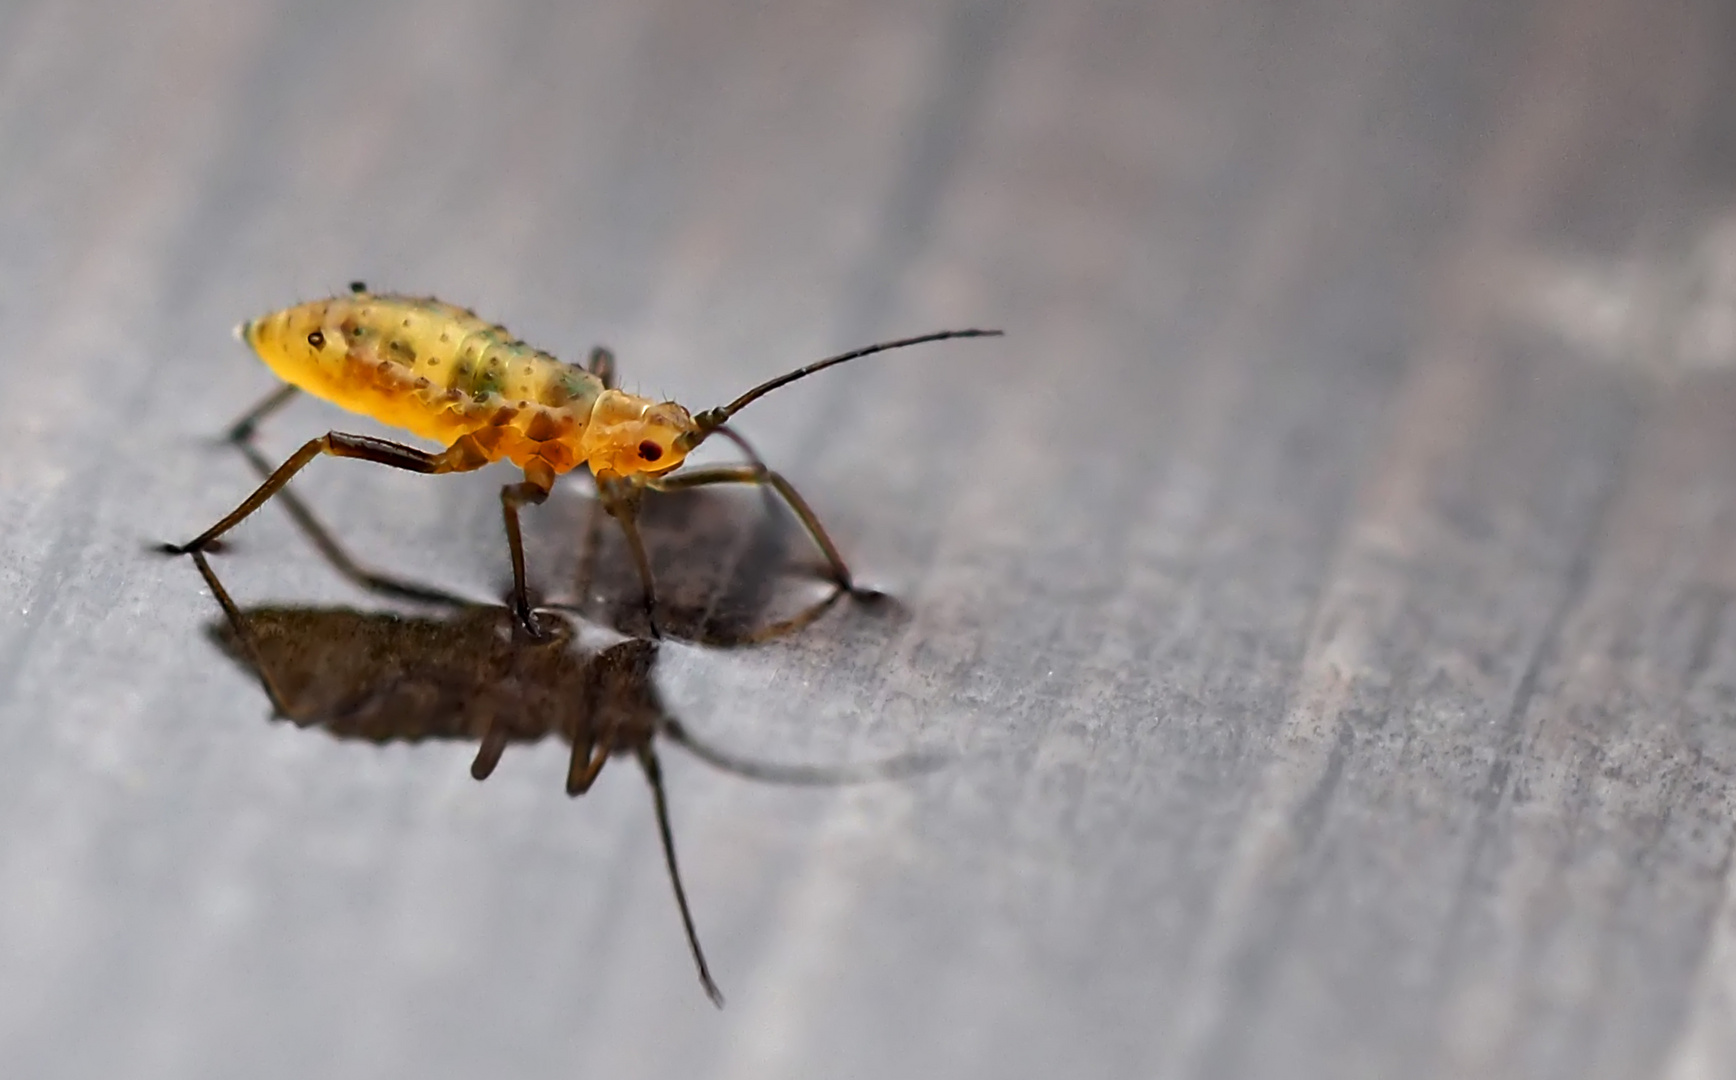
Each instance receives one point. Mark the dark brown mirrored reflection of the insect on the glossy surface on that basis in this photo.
(477, 676)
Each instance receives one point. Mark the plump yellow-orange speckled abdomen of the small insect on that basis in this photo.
(435, 371)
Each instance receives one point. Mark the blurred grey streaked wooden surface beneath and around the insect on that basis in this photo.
(1325, 588)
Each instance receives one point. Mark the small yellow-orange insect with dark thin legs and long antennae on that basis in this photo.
(444, 374)
